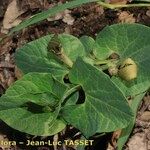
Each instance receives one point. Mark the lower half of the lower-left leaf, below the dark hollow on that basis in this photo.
(44, 124)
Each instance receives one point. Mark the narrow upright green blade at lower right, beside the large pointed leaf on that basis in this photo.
(127, 131)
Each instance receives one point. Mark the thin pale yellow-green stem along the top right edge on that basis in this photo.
(114, 6)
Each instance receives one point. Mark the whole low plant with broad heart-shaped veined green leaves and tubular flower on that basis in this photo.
(42, 103)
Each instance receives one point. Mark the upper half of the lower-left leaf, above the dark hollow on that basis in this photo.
(38, 88)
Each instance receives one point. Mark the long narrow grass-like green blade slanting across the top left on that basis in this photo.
(48, 13)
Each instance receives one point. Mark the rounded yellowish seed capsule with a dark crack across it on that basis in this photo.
(128, 70)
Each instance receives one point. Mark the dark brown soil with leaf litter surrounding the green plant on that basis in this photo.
(87, 20)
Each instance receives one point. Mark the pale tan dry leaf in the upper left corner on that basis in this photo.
(11, 16)
